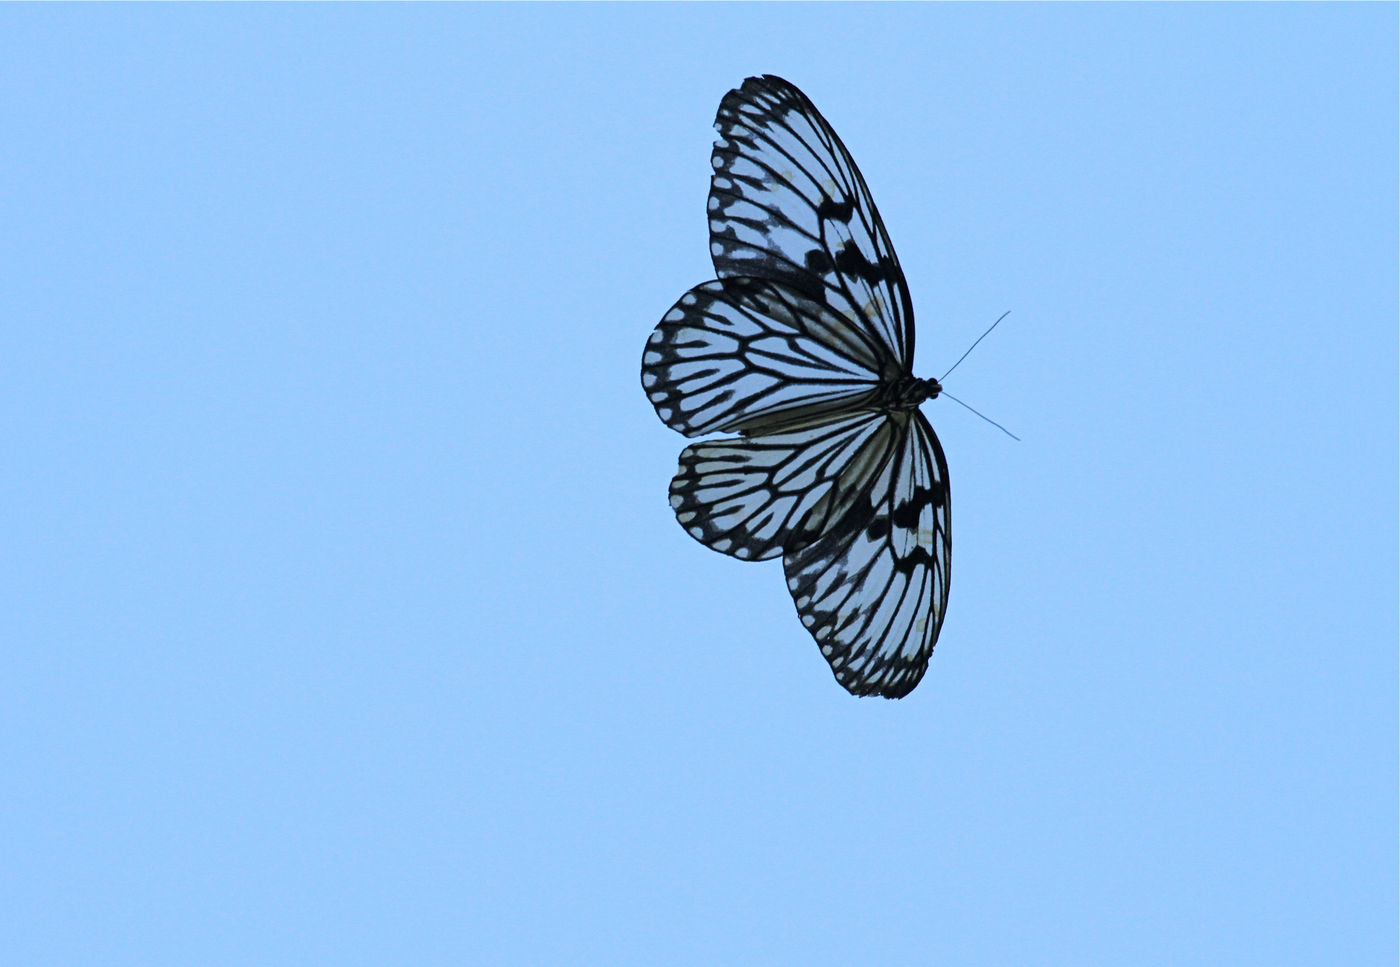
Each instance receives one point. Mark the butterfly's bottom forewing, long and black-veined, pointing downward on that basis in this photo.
(873, 590)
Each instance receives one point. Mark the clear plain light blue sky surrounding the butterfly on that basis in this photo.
(345, 619)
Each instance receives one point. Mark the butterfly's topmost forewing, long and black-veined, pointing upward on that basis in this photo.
(789, 204)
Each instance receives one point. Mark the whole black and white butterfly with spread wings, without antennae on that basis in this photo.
(803, 348)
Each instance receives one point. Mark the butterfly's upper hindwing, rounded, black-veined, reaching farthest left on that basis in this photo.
(752, 356)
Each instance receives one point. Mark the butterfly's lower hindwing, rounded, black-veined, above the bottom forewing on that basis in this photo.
(754, 497)
